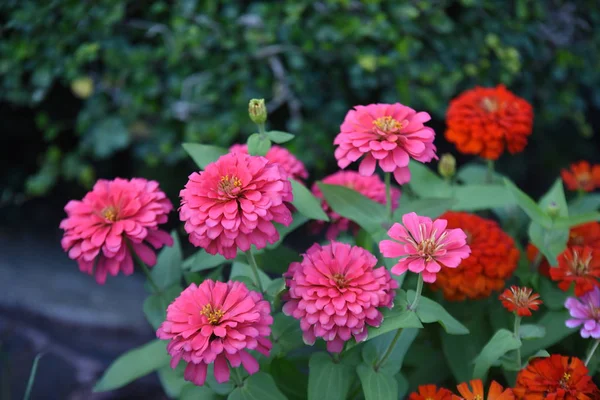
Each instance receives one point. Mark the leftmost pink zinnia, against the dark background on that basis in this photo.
(113, 219)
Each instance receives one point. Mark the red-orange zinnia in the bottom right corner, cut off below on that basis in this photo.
(556, 377)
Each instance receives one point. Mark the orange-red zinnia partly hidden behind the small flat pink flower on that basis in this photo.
(493, 259)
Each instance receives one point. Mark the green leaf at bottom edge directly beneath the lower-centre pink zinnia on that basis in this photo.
(328, 380)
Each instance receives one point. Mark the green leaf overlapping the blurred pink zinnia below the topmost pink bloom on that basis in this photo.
(350, 204)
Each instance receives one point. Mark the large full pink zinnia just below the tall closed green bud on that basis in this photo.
(233, 203)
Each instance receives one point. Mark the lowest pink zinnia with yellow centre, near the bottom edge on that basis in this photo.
(217, 323)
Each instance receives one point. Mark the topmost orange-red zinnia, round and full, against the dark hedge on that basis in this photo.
(483, 121)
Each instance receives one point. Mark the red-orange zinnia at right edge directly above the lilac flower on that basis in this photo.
(580, 265)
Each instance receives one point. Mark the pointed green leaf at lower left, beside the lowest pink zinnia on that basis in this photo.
(133, 365)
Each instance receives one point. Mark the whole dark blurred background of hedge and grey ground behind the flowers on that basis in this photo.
(111, 88)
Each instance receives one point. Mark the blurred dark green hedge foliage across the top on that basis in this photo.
(154, 74)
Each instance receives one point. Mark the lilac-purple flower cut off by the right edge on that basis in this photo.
(585, 311)
